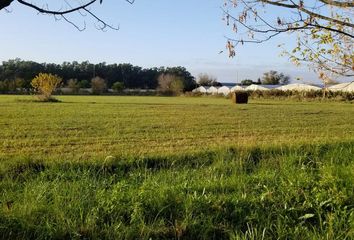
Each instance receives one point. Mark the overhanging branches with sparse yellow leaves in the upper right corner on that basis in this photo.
(324, 28)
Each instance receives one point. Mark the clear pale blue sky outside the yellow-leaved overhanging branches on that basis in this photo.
(152, 33)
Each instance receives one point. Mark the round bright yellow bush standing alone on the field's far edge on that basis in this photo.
(45, 84)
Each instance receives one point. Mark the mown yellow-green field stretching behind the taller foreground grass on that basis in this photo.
(95, 127)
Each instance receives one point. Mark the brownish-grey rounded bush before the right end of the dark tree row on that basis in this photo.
(170, 84)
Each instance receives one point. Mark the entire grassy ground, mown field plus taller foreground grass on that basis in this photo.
(175, 167)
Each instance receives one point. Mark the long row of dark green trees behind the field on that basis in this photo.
(17, 74)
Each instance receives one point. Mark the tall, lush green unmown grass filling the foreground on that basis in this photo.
(298, 192)
